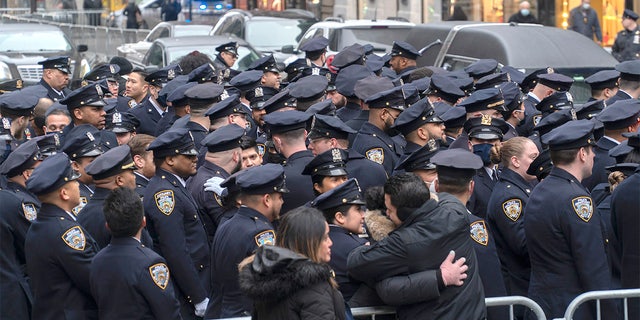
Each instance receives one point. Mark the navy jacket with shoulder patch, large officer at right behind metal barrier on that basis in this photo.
(566, 247)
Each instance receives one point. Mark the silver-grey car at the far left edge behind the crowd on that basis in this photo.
(23, 45)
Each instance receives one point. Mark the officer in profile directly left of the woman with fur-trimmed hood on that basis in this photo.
(261, 191)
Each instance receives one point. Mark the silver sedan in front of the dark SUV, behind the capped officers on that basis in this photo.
(165, 51)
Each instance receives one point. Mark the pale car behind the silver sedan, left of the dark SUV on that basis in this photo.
(173, 29)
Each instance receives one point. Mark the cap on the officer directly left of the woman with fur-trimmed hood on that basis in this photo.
(262, 179)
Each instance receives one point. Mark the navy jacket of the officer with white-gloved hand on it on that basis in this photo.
(209, 203)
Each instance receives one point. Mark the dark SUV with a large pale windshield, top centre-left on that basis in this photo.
(267, 31)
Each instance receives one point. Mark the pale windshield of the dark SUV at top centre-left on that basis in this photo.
(274, 34)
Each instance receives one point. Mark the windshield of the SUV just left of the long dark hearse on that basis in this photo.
(381, 38)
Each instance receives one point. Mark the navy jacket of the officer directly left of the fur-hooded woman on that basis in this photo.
(235, 240)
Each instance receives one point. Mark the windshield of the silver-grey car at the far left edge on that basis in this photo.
(33, 41)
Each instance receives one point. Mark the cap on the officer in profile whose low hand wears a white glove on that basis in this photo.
(173, 142)
